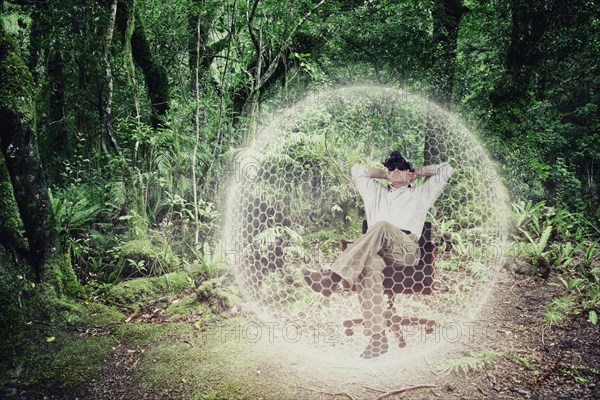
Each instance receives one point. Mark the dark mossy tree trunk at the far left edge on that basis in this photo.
(19, 148)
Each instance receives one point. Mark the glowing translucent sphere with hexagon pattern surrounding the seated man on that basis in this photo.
(291, 201)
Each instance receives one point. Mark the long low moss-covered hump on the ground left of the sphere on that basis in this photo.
(141, 290)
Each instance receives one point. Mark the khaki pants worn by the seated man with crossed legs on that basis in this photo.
(363, 262)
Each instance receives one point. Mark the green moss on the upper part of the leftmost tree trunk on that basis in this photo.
(15, 79)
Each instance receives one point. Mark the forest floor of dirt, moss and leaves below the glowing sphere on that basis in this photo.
(148, 356)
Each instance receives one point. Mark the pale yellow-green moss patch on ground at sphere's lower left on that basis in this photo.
(214, 366)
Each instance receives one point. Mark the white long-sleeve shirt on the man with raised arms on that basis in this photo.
(405, 207)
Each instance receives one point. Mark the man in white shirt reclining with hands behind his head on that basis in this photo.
(395, 213)
